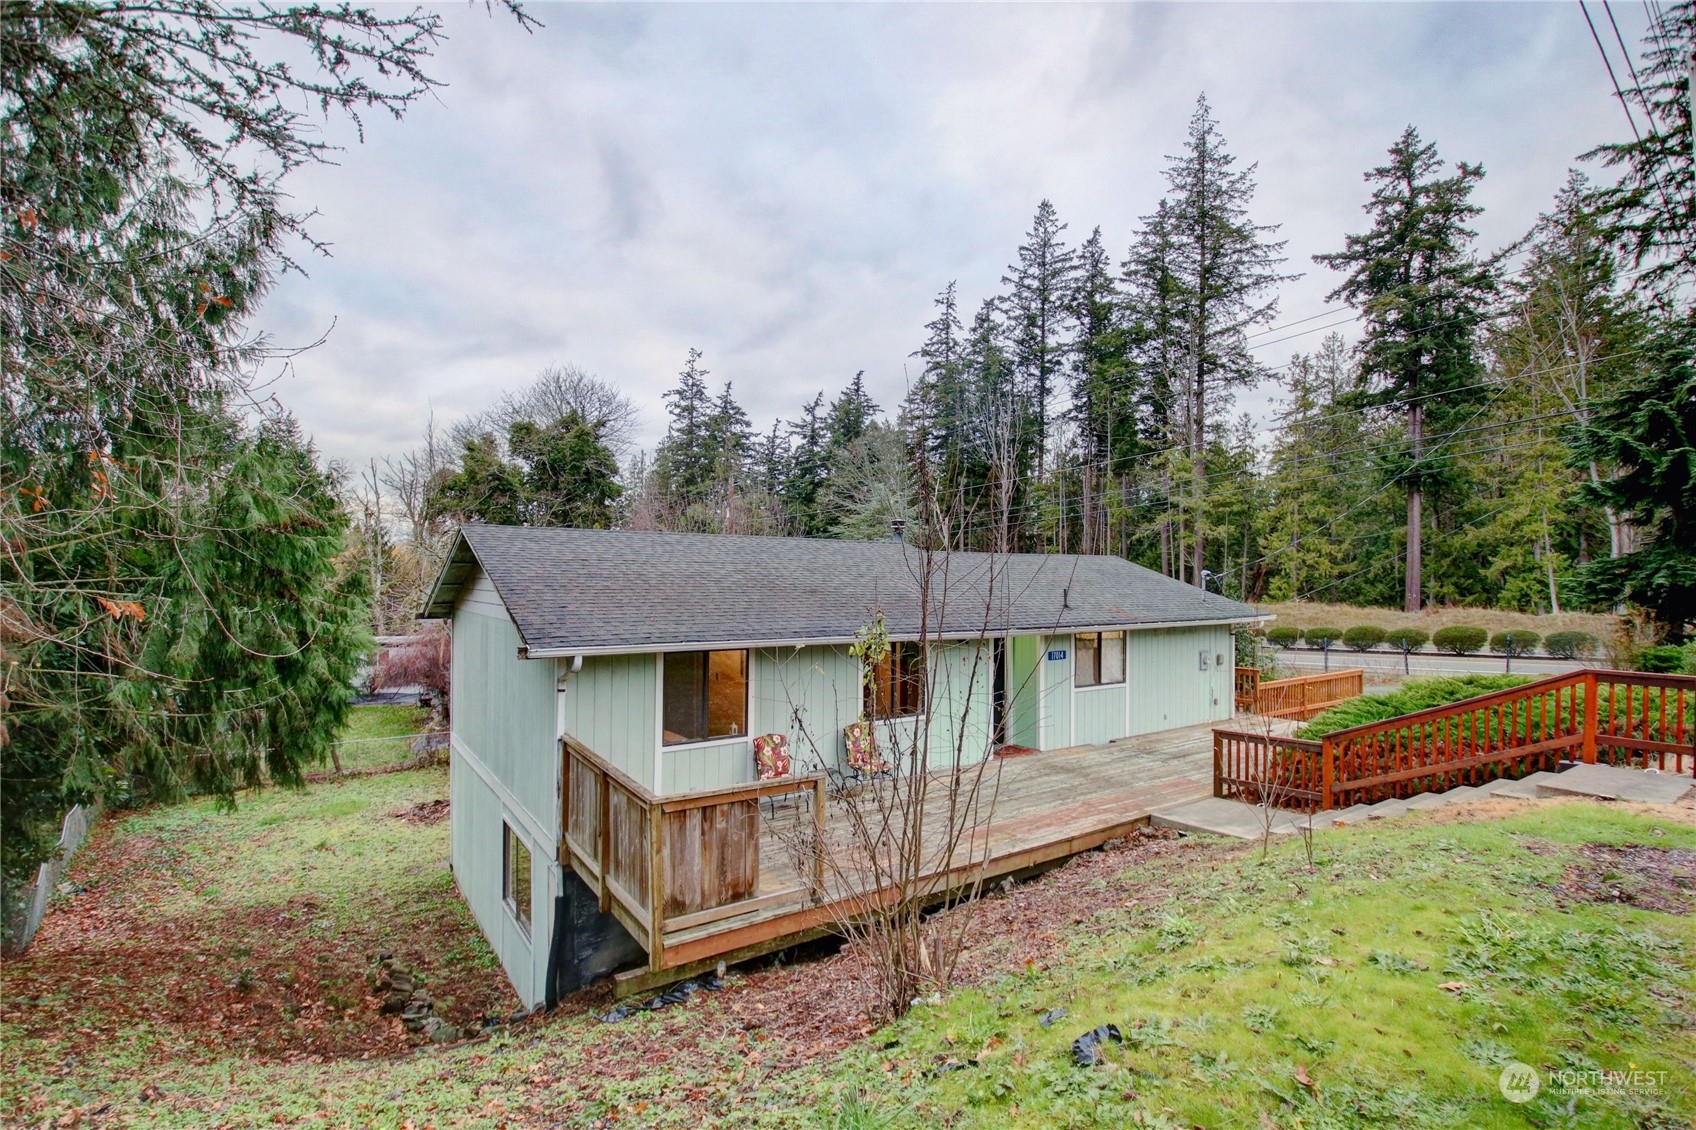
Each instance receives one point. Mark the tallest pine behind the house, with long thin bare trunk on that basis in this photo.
(1225, 269)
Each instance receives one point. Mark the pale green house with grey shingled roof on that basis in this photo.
(666, 654)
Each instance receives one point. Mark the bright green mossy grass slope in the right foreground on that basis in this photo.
(1385, 988)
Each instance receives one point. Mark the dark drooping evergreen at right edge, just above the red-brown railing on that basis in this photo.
(1648, 428)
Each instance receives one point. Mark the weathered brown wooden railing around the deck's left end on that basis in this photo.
(667, 864)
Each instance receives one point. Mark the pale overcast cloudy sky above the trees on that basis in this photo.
(788, 187)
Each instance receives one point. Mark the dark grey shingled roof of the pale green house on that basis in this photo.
(620, 590)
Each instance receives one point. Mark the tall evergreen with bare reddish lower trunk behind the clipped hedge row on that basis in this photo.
(1422, 296)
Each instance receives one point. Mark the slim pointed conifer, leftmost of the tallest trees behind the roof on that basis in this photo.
(1037, 311)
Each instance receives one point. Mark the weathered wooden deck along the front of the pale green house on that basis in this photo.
(723, 876)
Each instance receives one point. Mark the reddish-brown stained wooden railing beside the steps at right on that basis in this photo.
(1605, 717)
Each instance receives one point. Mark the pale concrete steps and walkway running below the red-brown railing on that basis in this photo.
(1600, 783)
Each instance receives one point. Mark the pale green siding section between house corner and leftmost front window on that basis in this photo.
(611, 705)
